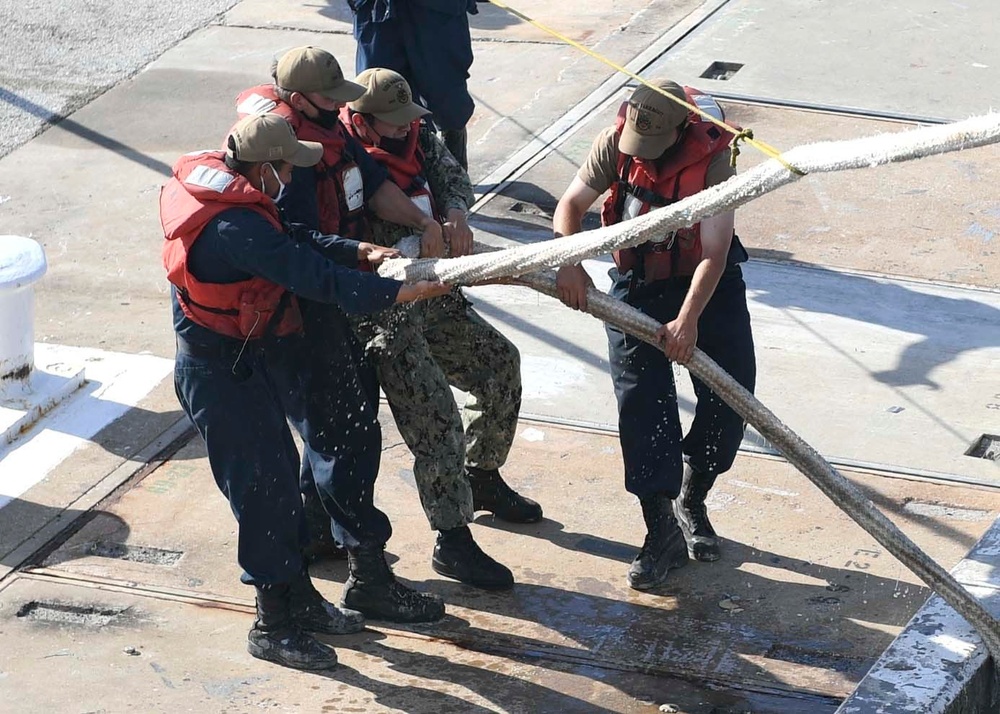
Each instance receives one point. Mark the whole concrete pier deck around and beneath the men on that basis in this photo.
(876, 315)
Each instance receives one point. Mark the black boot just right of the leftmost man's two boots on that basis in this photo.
(373, 590)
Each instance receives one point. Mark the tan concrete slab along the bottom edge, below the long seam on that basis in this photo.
(118, 650)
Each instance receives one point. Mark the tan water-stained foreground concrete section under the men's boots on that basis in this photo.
(793, 615)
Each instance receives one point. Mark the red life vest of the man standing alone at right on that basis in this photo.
(645, 184)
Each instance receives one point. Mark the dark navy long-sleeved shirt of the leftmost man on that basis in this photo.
(239, 244)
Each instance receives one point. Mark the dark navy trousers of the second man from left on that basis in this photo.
(343, 449)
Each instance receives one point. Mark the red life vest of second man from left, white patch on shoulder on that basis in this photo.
(340, 192)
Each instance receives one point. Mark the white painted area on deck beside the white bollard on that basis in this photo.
(115, 383)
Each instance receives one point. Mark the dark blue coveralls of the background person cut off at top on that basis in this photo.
(426, 41)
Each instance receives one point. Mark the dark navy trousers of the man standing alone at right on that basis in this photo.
(653, 446)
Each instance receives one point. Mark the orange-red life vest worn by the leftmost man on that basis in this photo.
(200, 189)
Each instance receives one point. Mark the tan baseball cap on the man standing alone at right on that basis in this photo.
(650, 120)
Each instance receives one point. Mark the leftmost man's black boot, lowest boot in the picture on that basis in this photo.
(275, 636)
